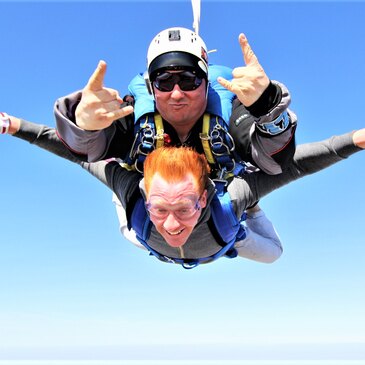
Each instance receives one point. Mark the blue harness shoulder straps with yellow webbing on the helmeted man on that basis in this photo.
(218, 145)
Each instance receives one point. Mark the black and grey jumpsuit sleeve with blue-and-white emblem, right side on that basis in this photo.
(264, 133)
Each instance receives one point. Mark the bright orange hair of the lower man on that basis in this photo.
(173, 163)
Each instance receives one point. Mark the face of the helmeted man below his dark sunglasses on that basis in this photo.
(181, 108)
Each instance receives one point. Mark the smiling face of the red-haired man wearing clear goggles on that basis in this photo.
(175, 208)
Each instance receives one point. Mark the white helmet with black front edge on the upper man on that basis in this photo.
(176, 48)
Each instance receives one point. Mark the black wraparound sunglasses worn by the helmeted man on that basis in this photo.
(186, 80)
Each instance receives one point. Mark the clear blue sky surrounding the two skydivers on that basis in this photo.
(72, 287)
